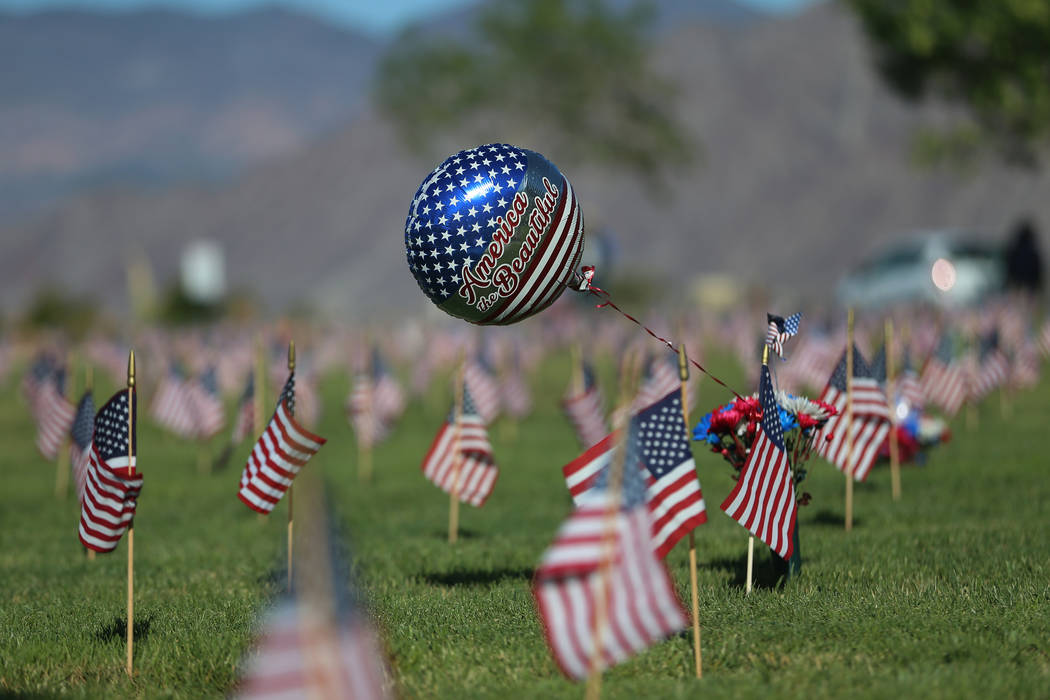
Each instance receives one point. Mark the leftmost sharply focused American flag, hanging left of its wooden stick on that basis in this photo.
(113, 485)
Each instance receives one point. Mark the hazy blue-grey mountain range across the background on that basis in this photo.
(806, 164)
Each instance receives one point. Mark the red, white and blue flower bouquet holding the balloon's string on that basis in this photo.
(731, 431)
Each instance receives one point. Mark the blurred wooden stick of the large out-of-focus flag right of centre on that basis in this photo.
(610, 535)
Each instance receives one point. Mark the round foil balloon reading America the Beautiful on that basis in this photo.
(494, 235)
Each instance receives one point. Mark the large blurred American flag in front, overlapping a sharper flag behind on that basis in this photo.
(601, 555)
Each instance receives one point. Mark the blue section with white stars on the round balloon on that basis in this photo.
(453, 216)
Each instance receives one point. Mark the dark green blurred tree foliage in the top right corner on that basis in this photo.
(992, 58)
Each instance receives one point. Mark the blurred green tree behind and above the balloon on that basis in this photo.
(572, 75)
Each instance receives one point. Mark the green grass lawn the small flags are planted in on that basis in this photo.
(944, 595)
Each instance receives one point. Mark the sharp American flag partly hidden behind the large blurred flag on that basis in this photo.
(665, 456)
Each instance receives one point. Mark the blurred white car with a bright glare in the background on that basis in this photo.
(948, 268)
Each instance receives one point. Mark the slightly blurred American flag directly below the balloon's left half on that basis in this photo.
(461, 456)
